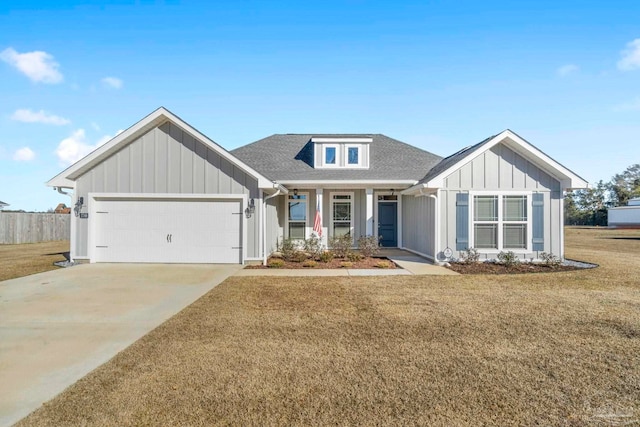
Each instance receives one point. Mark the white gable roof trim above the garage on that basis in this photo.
(155, 119)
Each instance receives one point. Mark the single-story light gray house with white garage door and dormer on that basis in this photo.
(161, 191)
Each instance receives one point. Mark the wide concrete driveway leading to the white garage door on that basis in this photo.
(56, 327)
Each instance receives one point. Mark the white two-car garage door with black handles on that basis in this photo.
(167, 231)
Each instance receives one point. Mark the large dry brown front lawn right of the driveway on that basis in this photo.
(531, 349)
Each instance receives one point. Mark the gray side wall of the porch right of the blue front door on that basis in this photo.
(418, 224)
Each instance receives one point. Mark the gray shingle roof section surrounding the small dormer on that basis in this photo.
(289, 157)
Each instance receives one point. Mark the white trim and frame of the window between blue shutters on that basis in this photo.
(500, 222)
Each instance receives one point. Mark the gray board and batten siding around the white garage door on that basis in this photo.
(167, 160)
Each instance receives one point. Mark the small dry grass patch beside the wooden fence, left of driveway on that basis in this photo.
(26, 259)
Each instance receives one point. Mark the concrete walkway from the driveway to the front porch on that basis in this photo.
(411, 265)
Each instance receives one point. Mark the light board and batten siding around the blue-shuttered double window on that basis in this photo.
(502, 169)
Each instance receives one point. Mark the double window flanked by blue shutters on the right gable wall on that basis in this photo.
(500, 222)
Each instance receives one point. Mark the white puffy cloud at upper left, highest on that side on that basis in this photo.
(39, 66)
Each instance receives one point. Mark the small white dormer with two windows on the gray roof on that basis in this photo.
(341, 152)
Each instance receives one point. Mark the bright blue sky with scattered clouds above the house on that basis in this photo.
(565, 75)
